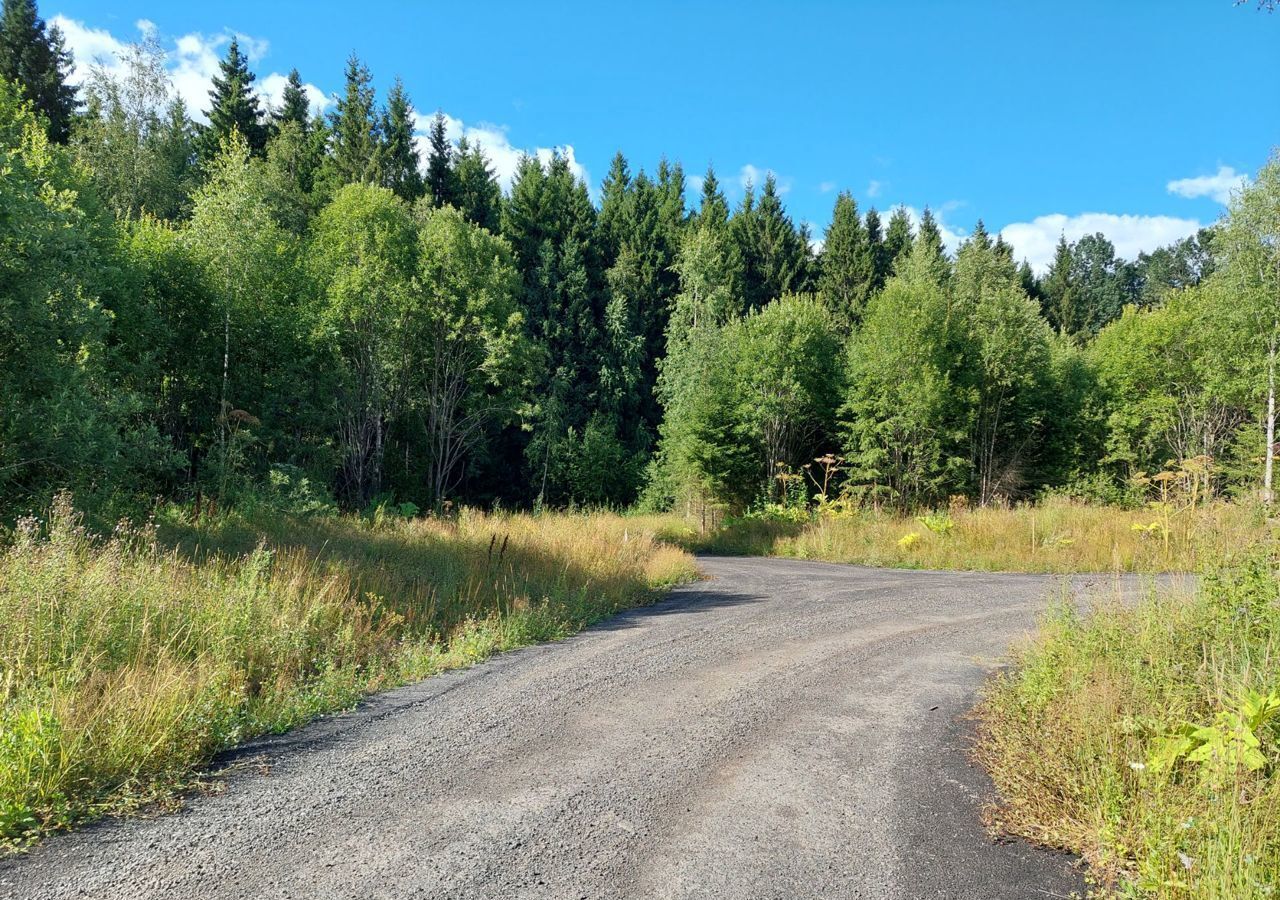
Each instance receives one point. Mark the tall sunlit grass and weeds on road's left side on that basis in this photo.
(126, 663)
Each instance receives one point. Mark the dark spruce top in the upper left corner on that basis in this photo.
(36, 57)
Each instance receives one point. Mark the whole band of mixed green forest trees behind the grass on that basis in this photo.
(300, 308)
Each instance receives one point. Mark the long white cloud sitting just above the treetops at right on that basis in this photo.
(1131, 235)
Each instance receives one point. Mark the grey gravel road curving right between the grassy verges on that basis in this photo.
(783, 730)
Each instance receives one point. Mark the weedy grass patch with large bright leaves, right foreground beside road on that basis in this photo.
(1146, 738)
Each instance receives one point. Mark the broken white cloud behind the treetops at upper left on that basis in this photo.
(191, 60)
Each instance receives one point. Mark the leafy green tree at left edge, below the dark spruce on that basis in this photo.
(54, 424)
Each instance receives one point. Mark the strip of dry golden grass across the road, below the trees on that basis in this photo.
(1057, 537)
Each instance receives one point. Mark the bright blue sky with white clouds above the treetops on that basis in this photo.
(1131, 117)
